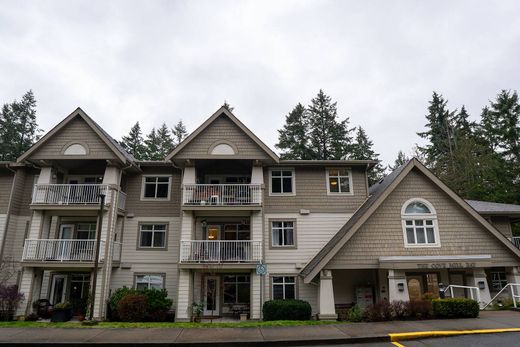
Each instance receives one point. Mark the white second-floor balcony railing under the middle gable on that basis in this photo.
(199, 251)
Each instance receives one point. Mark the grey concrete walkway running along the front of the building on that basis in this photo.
(303, 335)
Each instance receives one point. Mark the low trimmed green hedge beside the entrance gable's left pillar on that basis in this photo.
(287, 309)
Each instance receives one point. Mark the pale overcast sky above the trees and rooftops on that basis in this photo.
(161, 61)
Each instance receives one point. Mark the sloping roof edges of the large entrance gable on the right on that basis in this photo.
(378, 194)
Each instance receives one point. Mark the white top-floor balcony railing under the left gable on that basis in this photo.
(69, 194)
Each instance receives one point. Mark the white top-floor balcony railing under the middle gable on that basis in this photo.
(222, 194)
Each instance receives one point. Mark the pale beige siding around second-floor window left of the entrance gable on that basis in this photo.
(312, 233)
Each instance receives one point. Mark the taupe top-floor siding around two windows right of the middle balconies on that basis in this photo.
(311, 193)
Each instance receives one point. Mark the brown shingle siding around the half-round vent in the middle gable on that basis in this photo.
(222, 129)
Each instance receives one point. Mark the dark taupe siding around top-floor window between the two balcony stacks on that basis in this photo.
(159, 208)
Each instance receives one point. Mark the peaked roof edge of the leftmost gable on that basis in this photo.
(120, 153)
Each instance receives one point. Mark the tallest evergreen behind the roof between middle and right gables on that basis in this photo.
(329, 139)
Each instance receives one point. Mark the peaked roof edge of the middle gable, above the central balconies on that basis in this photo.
(223, 111)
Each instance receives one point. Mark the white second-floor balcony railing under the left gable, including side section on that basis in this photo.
(66, 250)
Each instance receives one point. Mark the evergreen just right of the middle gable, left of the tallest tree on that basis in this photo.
(293, 138)
